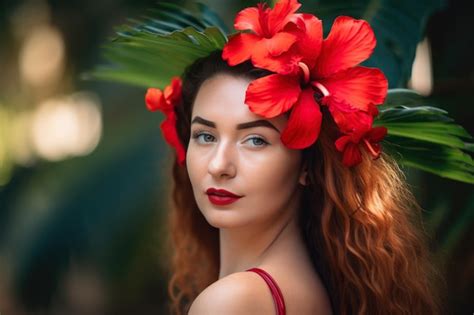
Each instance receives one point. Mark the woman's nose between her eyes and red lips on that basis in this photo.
(222, 164)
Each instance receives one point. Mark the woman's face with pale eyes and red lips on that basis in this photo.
(235, 150)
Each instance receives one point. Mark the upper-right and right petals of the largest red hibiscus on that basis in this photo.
(349, 43)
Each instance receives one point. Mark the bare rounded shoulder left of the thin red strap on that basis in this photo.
(238, 293)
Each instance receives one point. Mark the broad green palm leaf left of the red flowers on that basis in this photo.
(150, 52)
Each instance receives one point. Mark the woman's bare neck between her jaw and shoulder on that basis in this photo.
(253, 245)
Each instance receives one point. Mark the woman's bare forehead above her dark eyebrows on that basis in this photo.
(221, 99)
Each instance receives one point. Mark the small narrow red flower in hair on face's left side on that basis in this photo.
(165, 101)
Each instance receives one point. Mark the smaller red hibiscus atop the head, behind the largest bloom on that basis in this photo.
(269, 39)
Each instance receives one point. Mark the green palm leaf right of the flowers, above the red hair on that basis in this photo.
(424, 137)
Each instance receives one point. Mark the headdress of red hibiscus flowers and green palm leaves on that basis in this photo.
(307, 72)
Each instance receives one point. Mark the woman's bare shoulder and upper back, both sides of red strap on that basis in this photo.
(247, 293)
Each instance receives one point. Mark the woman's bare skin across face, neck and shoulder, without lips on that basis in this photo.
(260, 229)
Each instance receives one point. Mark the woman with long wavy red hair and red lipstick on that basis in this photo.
(335, 240)
